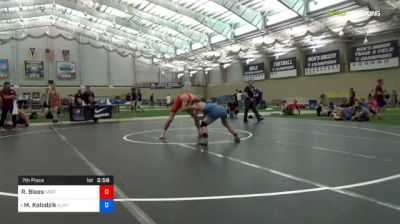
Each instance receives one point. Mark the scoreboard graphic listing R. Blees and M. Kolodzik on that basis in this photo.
(66, 194)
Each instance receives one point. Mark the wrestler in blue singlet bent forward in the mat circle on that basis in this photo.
(212, 112)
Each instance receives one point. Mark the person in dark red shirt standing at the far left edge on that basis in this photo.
(7, 96)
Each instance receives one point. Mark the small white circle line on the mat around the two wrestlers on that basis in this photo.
(126, 137)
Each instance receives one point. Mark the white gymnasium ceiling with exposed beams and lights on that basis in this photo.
(199, 34)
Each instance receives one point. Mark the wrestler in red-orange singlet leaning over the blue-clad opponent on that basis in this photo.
(182, 102)
